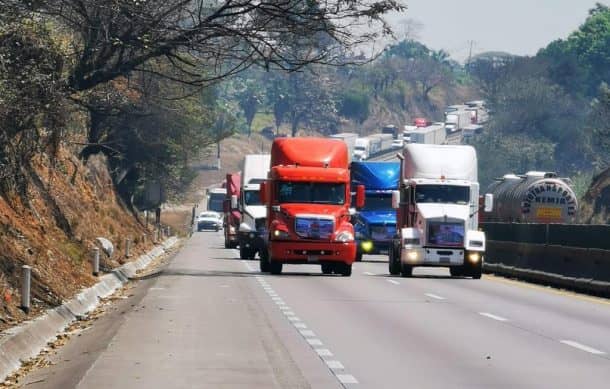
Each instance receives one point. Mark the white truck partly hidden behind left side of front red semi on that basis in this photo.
(253, 212)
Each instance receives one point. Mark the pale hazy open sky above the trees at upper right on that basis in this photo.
(516, 26)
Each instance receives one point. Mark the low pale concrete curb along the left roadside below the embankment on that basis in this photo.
(28, 339)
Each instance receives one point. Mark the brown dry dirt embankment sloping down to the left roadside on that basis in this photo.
(54, 230)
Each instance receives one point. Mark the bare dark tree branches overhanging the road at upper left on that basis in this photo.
(207, 41)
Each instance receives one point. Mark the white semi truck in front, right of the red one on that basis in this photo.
(437, 202)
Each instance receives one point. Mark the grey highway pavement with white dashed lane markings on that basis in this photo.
(211, 320)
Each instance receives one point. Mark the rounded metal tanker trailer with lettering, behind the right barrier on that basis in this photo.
(535, 197)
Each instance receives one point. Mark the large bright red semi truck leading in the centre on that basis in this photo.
(308, 197)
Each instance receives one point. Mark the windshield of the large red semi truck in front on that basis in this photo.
(311, 192)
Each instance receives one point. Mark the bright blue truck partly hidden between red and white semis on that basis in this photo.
(375, 224)
